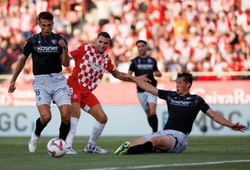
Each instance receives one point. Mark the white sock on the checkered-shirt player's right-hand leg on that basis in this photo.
(96, 133)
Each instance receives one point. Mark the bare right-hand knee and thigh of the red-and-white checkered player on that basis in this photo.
(98, 113)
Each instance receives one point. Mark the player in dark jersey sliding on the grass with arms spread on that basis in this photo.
(183, 109)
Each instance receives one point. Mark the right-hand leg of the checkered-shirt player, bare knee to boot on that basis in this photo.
(101, 120)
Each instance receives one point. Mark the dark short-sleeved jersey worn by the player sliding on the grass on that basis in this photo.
(182, 110)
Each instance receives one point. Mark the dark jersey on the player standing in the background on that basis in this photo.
(142, 66)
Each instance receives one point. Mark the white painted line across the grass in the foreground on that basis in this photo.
(169, 165)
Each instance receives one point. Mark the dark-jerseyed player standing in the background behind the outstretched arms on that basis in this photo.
(146, 66)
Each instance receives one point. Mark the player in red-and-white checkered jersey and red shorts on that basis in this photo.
(90, 64)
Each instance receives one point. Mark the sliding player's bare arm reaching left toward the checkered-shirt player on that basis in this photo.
(143, 84)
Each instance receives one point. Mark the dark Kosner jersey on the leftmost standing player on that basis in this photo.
(46, 53)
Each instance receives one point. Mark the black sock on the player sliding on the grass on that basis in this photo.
(138, 149)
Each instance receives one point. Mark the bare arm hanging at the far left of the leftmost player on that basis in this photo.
(19, 67)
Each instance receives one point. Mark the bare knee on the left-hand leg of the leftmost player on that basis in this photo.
(45, 113)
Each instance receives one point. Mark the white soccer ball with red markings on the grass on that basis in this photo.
(56, 147)
